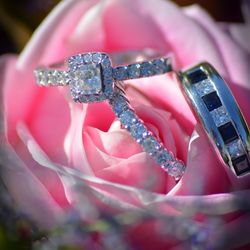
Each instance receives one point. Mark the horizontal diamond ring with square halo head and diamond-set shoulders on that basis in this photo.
(91, 77)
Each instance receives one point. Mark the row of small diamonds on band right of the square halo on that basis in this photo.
(142, 69)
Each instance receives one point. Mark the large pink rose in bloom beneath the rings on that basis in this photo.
(60, 151)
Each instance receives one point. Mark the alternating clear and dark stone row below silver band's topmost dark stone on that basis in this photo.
(205, 88)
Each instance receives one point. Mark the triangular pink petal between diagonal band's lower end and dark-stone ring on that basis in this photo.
(204, 173)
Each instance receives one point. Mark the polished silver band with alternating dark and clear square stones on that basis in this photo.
(214, 104)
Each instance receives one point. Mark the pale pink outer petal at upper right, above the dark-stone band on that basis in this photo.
(234, 64)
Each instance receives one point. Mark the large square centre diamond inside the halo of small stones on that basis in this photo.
(87, 79)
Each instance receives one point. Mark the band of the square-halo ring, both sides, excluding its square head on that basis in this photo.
(53, 76)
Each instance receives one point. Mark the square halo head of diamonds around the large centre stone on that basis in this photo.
(90, 77)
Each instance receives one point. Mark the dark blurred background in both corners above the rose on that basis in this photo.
(18, 19)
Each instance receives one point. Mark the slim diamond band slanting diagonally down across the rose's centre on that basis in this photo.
(144, 137)
